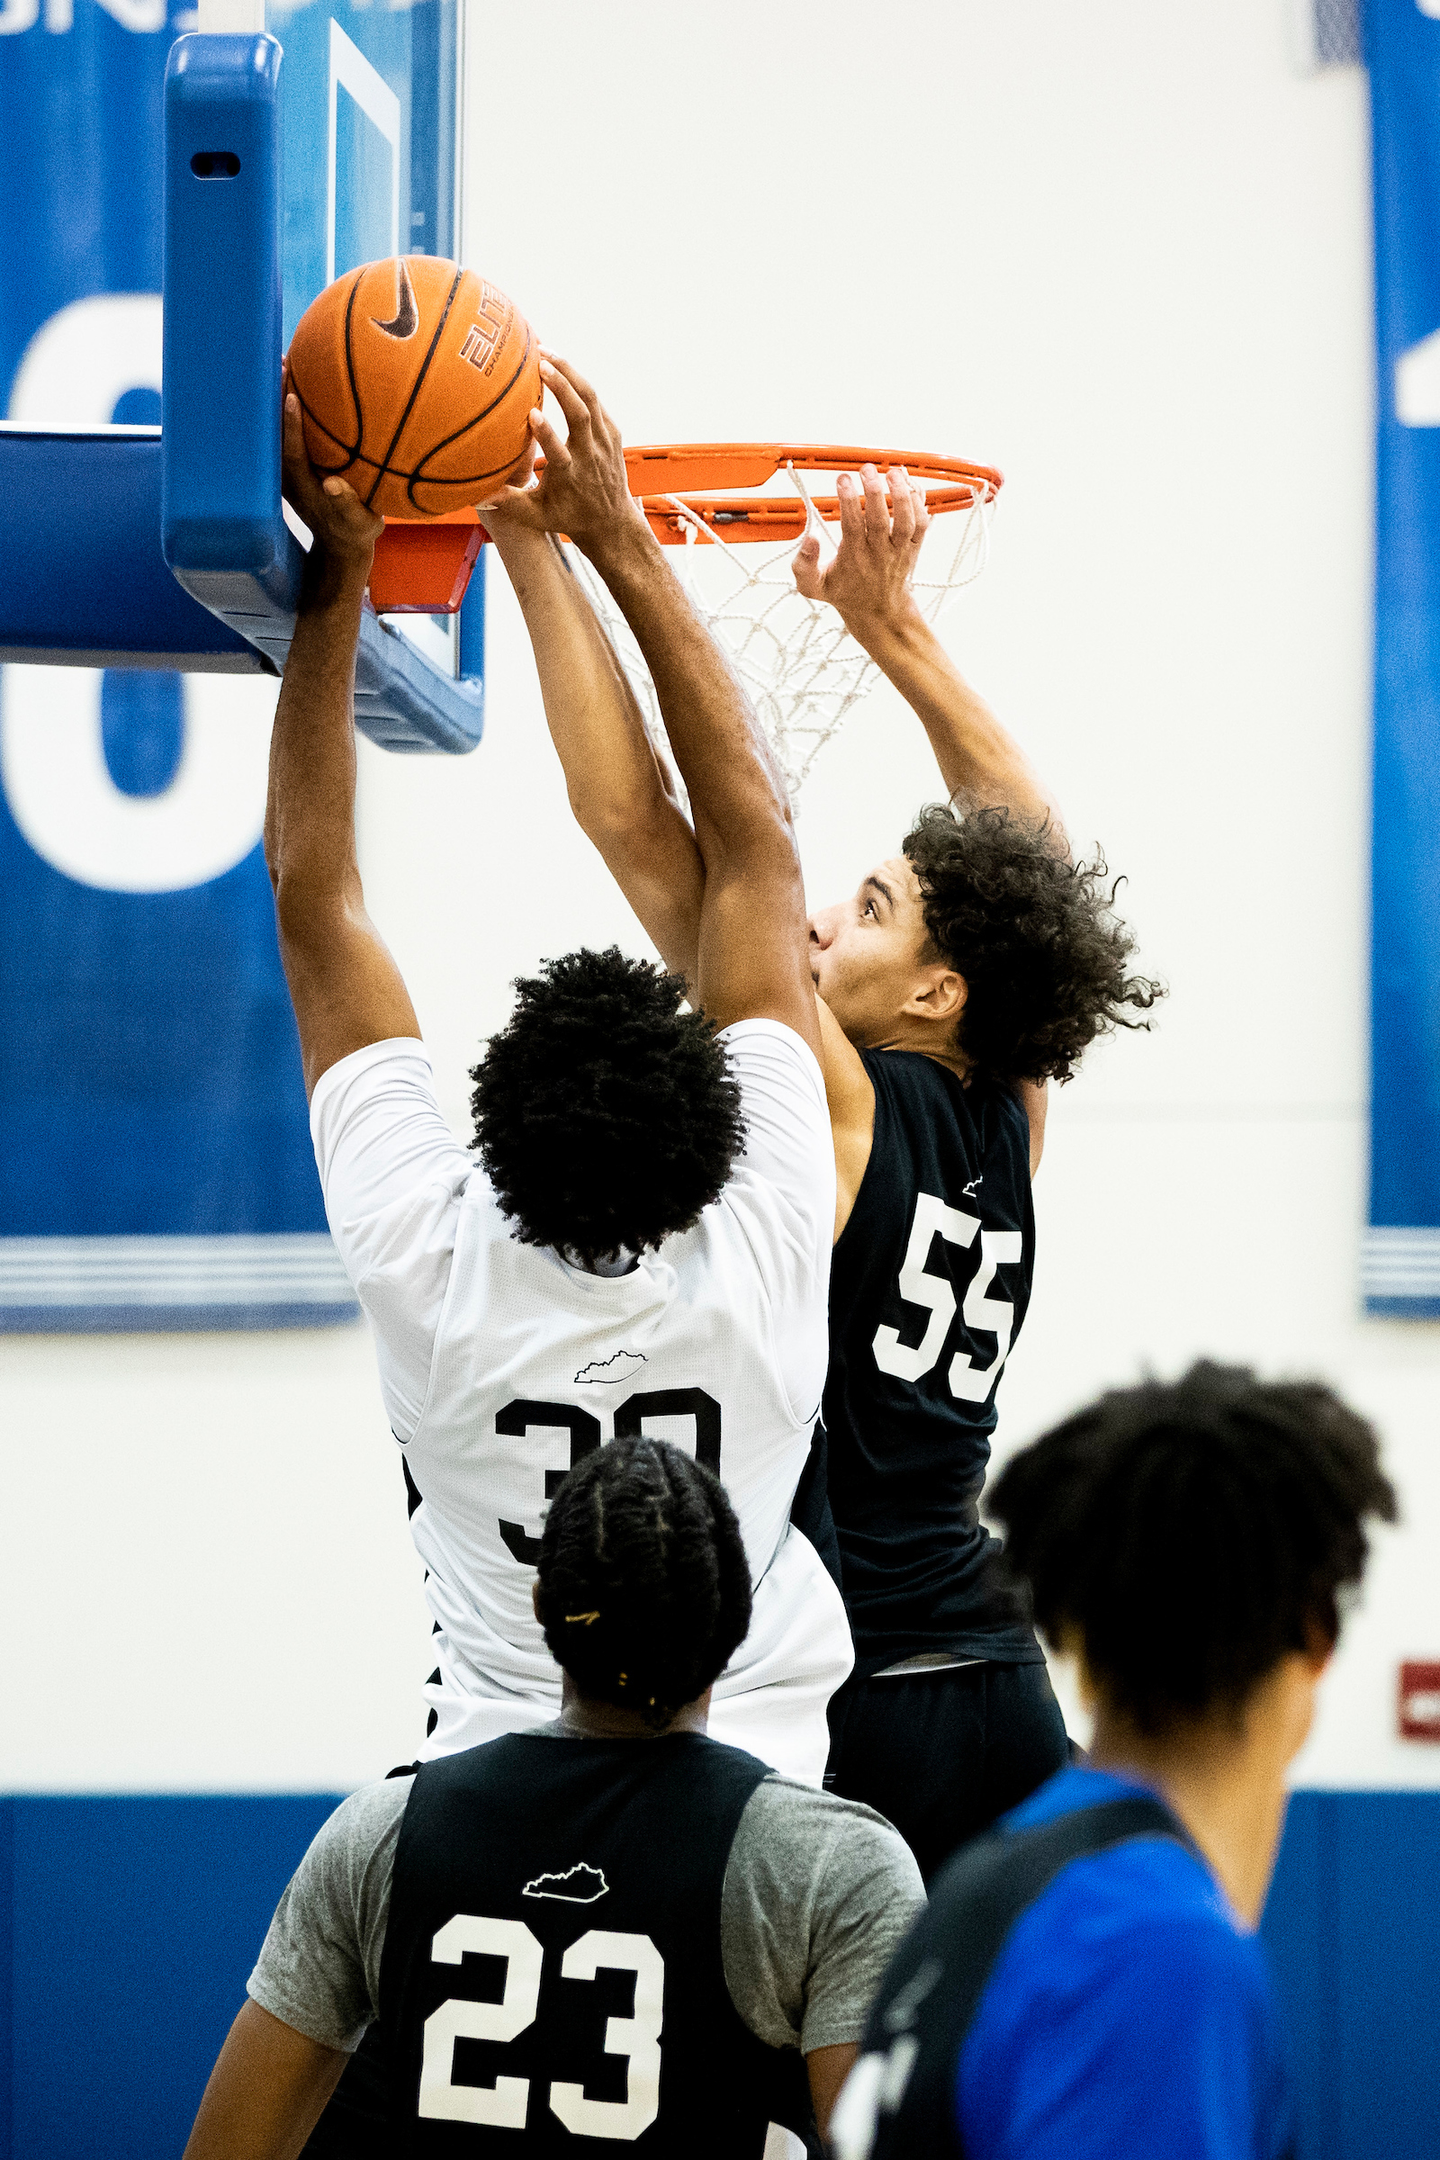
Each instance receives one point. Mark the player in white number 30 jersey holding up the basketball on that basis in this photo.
(642, 1239)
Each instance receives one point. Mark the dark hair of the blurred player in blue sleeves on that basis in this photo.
(1188, 1535)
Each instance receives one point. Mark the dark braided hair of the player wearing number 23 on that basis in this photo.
(644, 1584)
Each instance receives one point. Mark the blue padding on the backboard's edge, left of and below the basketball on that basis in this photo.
(221, 524)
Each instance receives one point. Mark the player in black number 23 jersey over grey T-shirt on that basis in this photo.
(586, 1943)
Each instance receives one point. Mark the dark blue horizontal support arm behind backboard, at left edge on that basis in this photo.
(81, 565)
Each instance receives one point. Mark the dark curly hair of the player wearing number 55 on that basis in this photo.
(1035, 936)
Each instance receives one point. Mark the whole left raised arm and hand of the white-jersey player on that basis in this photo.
(344, 986)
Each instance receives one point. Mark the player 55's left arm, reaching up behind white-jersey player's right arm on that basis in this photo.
(619, 792)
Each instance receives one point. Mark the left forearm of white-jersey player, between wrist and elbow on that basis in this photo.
(310, 811)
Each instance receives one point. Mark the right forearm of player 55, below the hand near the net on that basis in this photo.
(979, 759)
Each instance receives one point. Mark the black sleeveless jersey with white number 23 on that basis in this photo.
(552, 1973)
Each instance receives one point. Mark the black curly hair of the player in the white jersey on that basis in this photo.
(606, 1116)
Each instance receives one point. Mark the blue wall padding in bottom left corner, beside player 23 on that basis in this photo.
(135, 1928)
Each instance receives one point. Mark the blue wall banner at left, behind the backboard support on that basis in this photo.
(154, 1146)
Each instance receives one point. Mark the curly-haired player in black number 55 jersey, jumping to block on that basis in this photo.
(962, 977)
